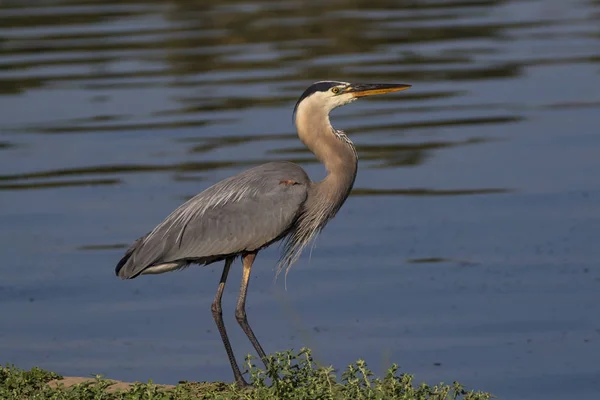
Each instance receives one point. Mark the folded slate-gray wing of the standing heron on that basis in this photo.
(242, 213)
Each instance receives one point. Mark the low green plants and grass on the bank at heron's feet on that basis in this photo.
(290, 376)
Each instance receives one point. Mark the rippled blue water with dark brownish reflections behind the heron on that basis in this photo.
(467, 251)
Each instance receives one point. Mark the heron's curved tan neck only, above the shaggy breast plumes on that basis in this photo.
(333, 149)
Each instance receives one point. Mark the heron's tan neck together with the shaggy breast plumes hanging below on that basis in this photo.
(335, 150)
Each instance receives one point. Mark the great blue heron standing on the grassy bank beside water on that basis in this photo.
(245, 213)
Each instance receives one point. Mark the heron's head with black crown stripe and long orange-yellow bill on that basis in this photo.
(328, 95)
